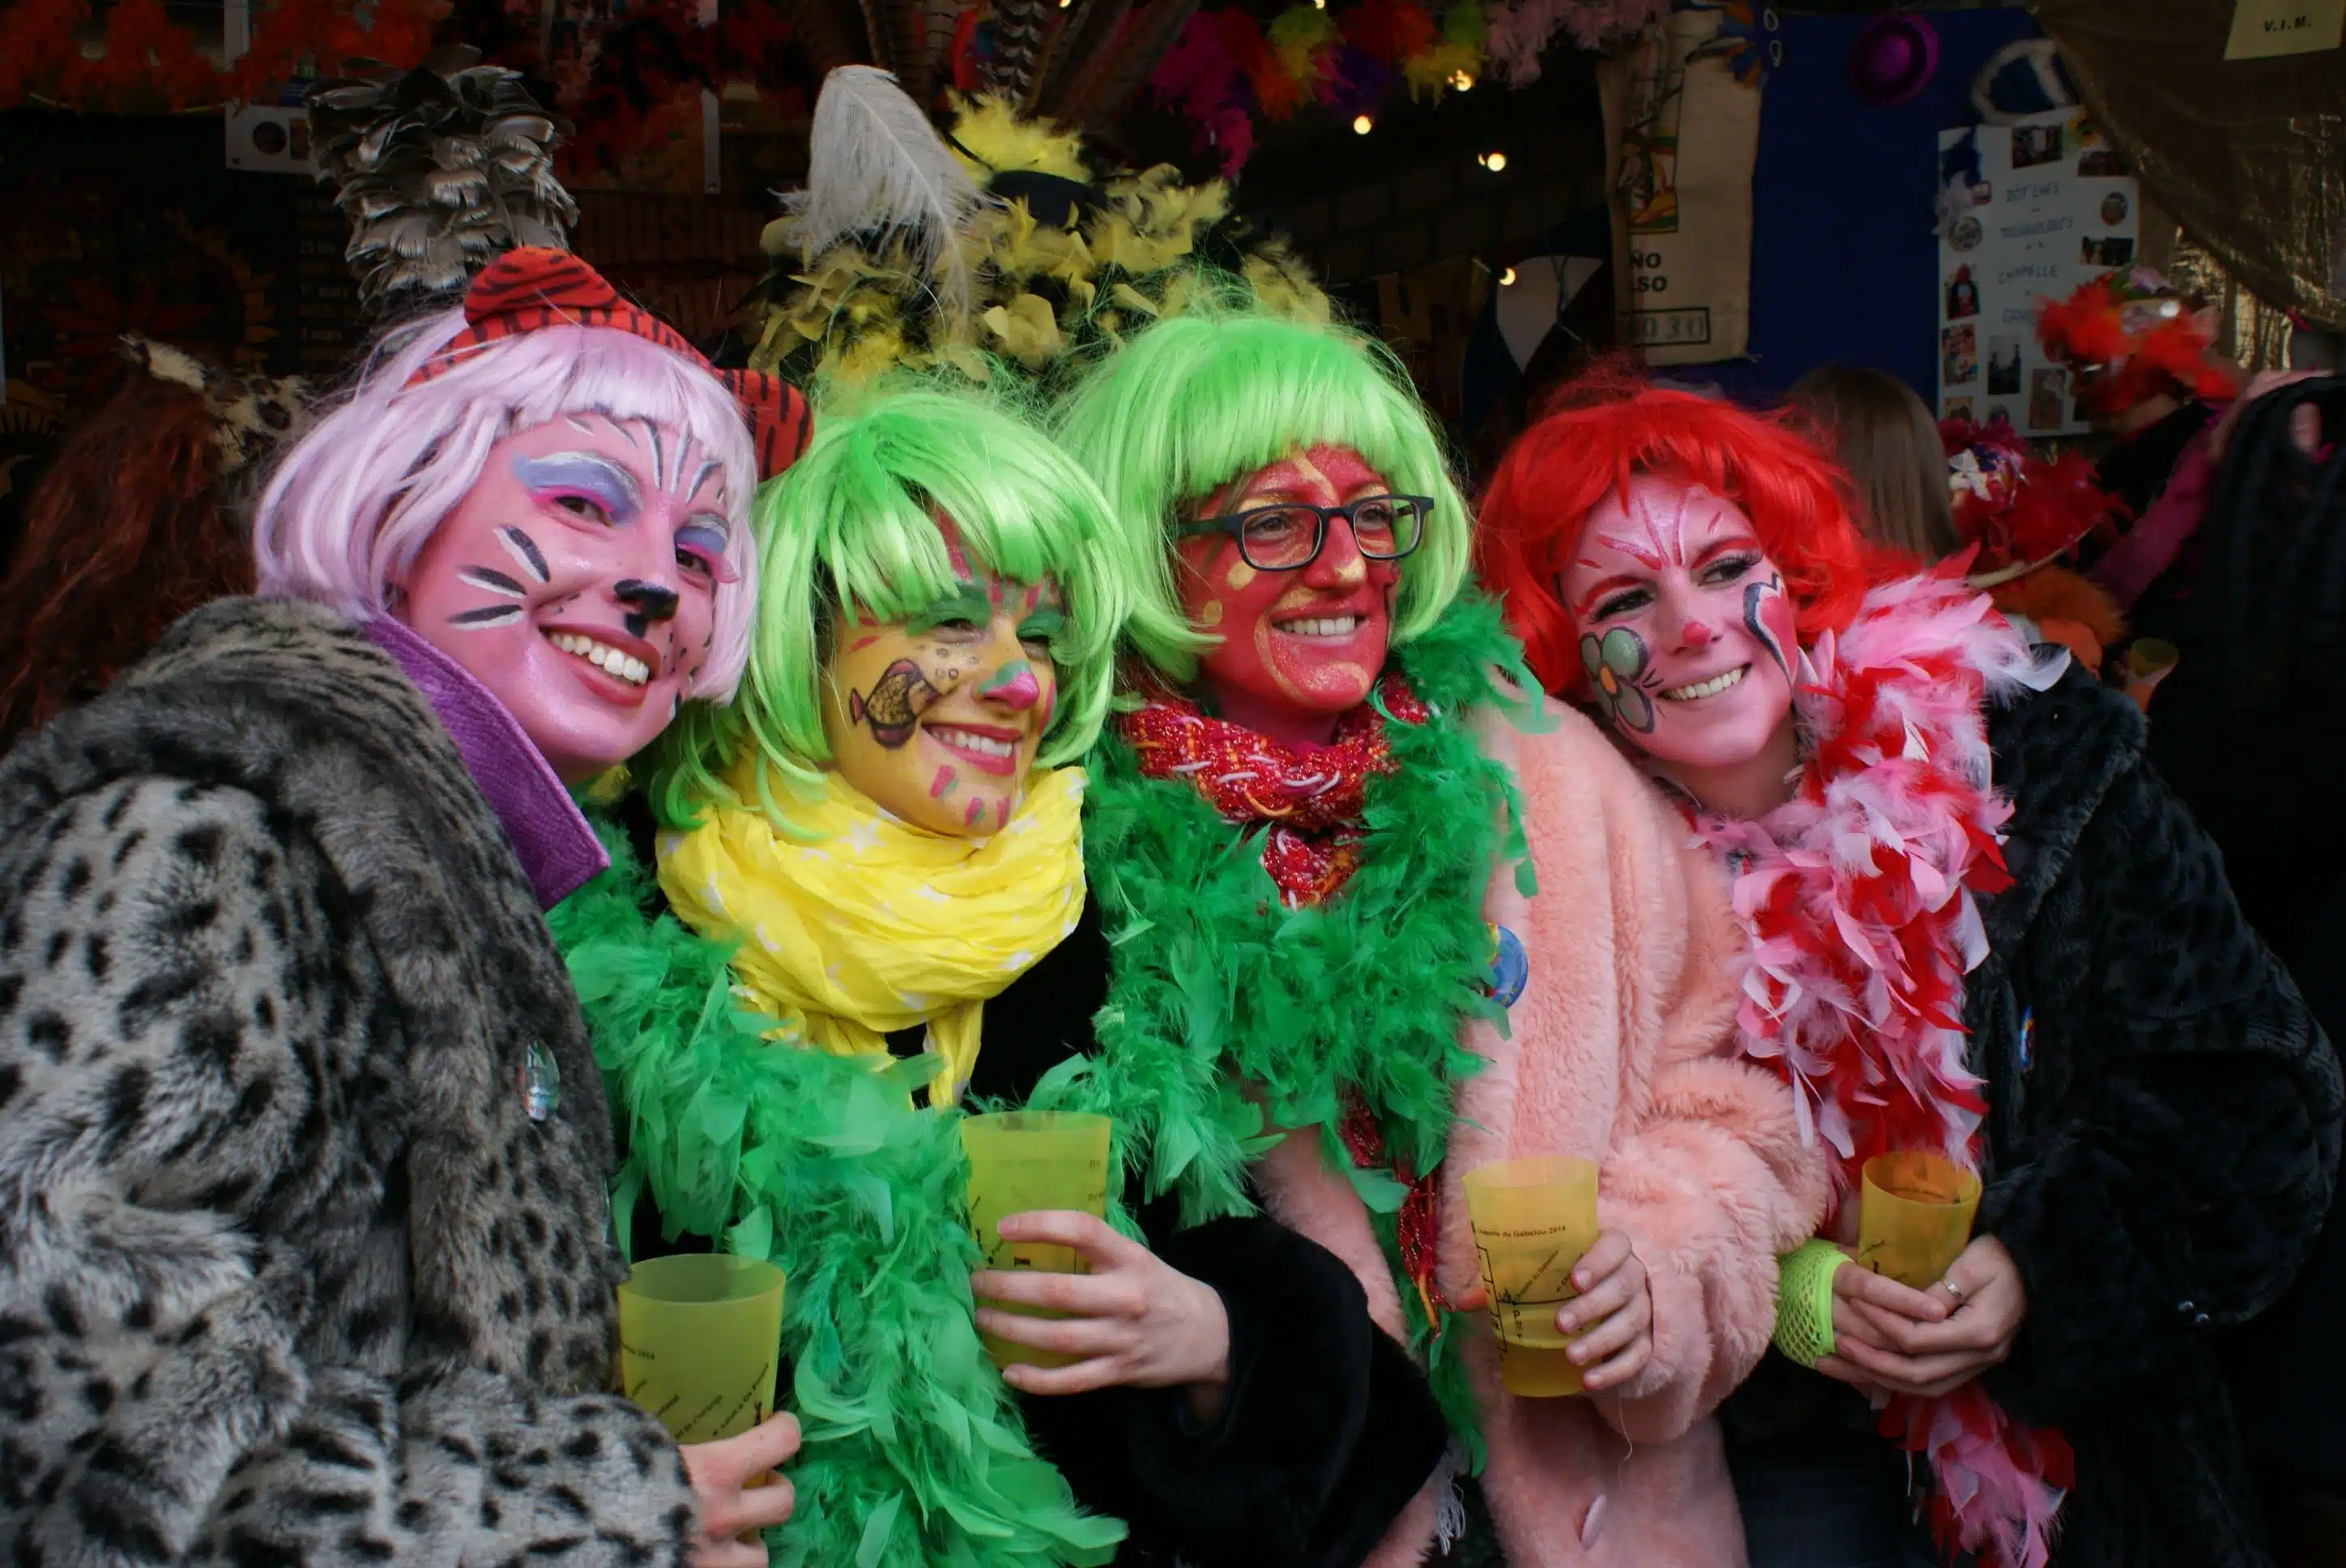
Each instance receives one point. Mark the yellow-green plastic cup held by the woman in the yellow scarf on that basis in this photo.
(1024, 1161)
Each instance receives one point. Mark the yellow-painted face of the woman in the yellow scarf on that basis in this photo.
(937, 718)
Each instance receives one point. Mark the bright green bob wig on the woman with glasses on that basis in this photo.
(1209, 397)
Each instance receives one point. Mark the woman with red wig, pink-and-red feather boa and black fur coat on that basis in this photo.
(1979, 927)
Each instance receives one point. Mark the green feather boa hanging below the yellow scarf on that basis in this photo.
(914, 1450)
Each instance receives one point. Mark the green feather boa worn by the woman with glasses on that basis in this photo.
(1221, 993)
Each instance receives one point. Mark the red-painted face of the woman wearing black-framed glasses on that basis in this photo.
(1296, 648)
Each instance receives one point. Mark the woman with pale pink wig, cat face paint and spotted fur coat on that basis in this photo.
(304, 1229)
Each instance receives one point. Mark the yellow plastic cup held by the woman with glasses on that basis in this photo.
(1533, 1220)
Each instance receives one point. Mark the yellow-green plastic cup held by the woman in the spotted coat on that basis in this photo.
(700, 1339)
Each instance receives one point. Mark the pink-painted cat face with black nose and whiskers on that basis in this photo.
(578, 582)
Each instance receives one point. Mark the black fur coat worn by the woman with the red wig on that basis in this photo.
(2164, 1131)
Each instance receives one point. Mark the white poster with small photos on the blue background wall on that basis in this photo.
(2049, 210)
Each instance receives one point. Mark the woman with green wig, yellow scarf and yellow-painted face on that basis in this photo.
(879, 850)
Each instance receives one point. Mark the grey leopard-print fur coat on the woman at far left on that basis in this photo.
(287, 1272)
